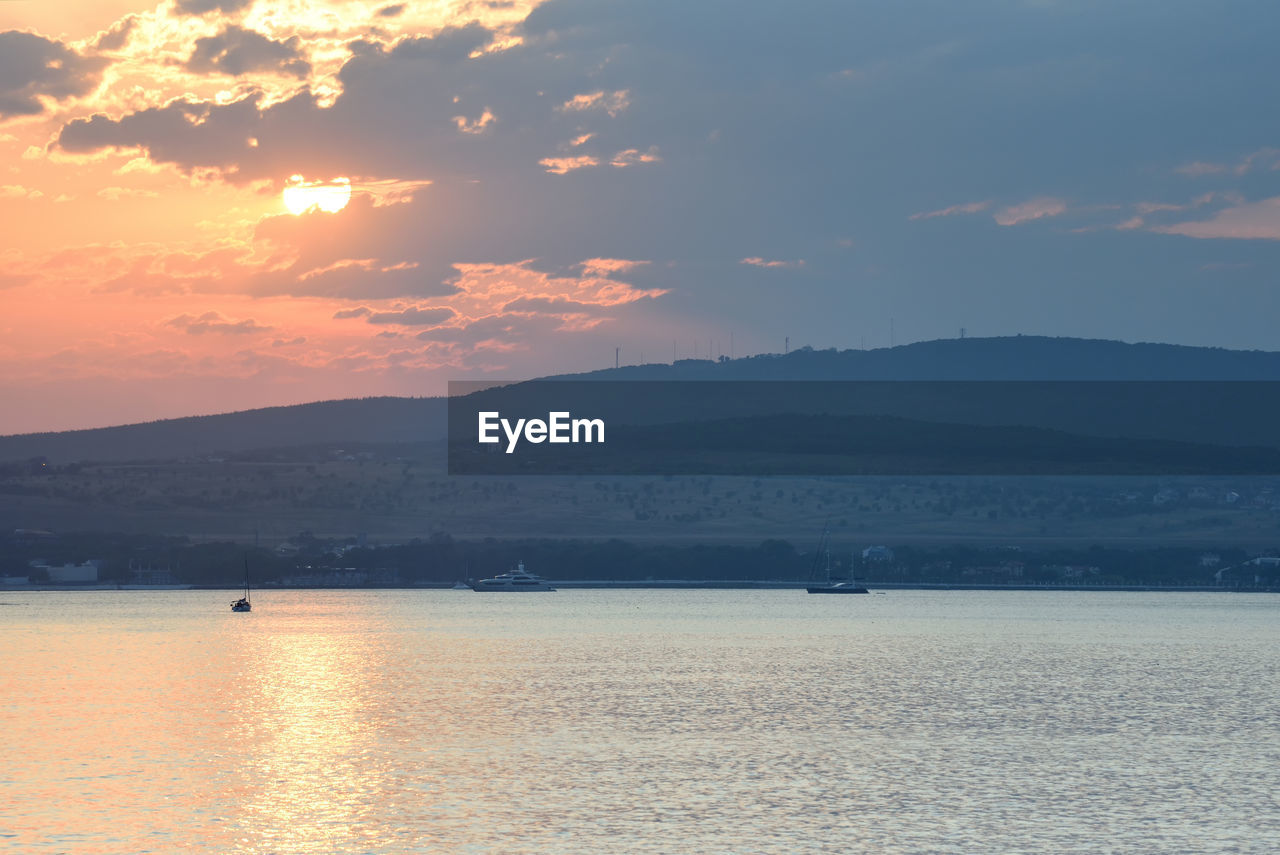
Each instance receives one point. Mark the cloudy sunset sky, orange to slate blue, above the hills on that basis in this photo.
(214, 205)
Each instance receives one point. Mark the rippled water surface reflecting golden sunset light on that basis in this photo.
(639, 723)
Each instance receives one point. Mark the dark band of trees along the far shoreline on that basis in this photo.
(444, 560)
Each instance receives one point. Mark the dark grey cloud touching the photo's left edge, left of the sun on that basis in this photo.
(34, 67)
